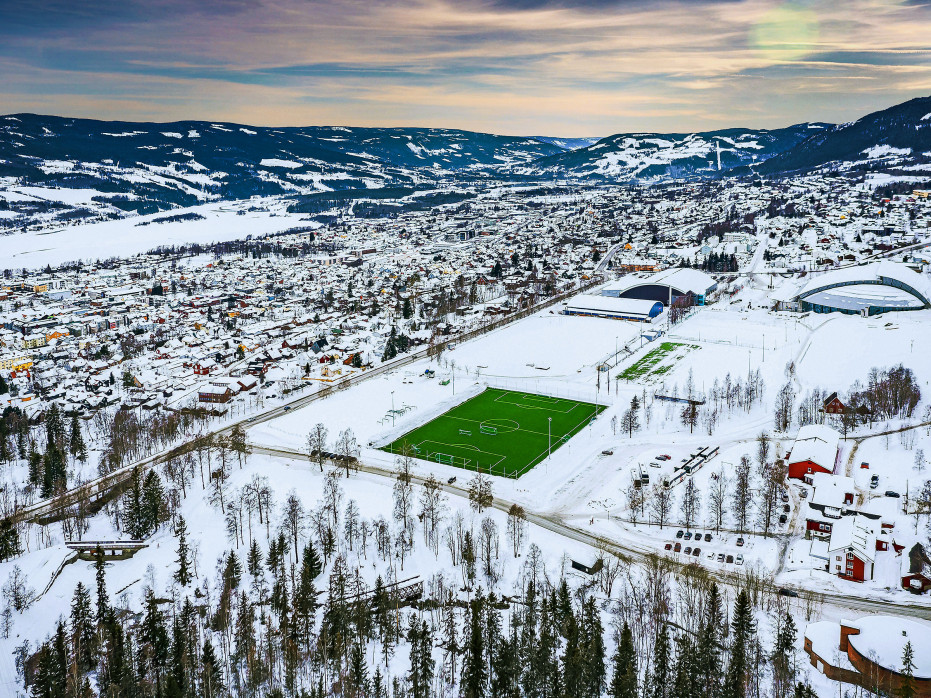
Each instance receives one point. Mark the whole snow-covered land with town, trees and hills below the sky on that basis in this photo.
(202, 369)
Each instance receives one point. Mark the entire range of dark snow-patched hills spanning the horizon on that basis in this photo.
(78, 169)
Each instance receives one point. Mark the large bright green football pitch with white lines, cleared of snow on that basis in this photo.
(503, 432)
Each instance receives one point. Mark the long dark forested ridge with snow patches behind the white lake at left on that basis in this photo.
(148, 166)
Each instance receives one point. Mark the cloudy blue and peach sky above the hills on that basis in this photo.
(528, 67)
